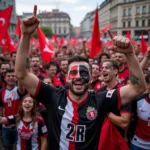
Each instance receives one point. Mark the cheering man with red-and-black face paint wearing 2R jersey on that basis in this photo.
(76, 115)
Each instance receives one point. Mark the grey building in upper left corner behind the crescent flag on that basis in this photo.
(4, 4)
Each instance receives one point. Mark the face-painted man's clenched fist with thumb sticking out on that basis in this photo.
(120, 44)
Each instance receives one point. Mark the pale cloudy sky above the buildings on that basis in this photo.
(77, 9)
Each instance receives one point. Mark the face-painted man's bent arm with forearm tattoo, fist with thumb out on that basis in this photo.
(137, 83)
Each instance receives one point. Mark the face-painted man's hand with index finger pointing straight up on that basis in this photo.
(29, 24)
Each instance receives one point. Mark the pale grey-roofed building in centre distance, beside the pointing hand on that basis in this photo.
(58, 21)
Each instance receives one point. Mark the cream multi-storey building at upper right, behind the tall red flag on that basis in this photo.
(125, 15)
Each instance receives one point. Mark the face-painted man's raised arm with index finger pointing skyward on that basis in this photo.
(29, 80)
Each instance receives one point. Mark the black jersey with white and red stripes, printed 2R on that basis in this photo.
(72, 125)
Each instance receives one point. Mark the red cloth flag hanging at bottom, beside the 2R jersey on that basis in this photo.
(110, 138)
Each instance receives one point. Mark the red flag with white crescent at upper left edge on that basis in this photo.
(4, 22)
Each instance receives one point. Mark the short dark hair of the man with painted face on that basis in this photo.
(78, 58)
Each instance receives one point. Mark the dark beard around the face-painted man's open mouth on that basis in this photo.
(78, 93)
